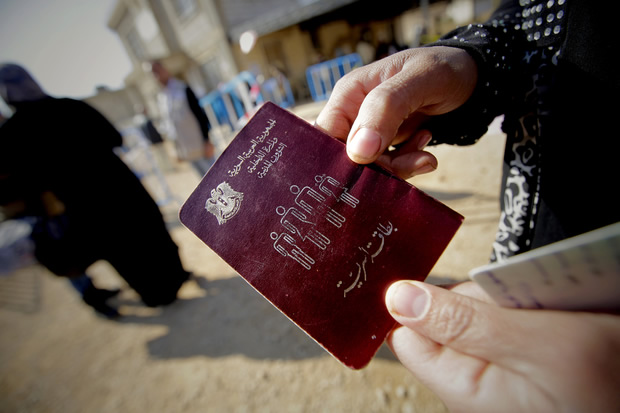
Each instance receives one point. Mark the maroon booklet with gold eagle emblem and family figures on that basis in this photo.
(317, 235)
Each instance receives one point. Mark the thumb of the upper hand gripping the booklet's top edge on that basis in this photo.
(430, 81)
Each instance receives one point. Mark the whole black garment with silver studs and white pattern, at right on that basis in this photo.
(546, 66)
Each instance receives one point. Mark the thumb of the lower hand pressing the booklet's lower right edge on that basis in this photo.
(527, 342)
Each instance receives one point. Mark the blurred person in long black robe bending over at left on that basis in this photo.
(57, 164)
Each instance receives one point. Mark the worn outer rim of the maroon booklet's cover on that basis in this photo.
(380, 169)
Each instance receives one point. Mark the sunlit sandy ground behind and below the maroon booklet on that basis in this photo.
(221, 347)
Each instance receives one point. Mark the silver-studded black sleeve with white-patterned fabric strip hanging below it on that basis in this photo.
(516, 52)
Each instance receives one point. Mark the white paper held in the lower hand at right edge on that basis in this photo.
(579, 273)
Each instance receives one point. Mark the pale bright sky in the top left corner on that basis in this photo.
(64, 44)
